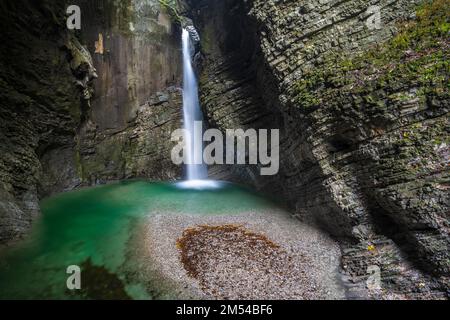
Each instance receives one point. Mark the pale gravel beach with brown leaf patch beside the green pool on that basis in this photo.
(263, 255)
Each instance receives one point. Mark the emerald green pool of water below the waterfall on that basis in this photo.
(95, 225)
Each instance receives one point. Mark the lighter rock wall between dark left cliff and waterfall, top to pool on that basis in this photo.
(137, 101)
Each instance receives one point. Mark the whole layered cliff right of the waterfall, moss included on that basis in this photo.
(364, 114)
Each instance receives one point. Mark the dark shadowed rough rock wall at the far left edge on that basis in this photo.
(40, 105)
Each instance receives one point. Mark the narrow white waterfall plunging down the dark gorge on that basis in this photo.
(192, 114)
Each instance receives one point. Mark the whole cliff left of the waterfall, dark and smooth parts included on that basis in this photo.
(85, 107)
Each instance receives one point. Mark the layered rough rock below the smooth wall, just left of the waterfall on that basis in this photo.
(141, 150)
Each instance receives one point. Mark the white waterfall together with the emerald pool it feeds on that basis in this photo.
(92, 227)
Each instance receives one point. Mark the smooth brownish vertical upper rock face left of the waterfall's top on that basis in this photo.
(140, 56)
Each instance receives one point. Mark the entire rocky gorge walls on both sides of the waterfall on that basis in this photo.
(363, 114)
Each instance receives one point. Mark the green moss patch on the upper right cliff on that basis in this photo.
(417, 57)
